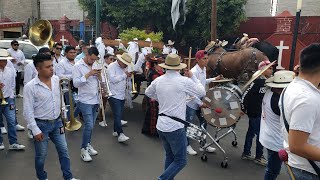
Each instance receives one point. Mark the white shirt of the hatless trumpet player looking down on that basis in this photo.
(87, 88)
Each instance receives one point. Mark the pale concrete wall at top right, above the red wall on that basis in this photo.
(261, 8)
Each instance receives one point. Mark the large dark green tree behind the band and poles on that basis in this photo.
(155, 15)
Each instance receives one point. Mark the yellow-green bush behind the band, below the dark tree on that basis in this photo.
(129, 34)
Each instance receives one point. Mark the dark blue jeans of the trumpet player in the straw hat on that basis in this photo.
(117, 107)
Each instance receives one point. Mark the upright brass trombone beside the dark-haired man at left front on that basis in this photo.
(73, 124)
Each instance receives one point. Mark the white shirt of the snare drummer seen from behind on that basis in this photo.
(171, 91)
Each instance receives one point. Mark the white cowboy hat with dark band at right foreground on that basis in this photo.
(281, 79)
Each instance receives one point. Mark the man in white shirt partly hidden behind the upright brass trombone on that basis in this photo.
(64, 70)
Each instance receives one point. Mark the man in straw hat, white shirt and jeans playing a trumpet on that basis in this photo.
(118, 74)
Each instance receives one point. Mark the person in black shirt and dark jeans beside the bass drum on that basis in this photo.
(252, 100)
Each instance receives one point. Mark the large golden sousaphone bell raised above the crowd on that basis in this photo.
(40, 33)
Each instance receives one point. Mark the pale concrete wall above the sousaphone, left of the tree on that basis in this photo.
(55, 9)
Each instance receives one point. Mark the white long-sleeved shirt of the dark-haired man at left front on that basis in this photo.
(41, 102)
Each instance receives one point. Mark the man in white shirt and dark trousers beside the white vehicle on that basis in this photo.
(18, 63)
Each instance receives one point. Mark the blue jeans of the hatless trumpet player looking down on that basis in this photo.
(89, 112)
